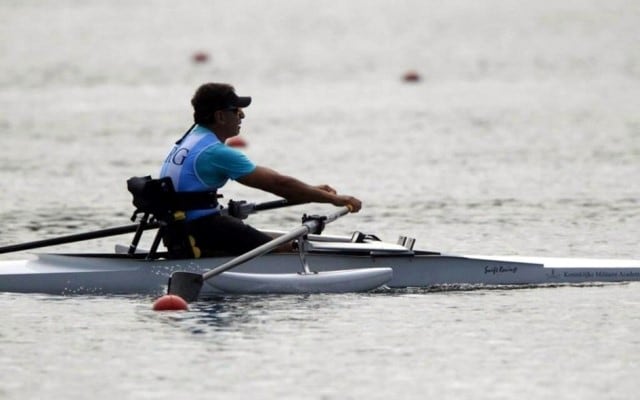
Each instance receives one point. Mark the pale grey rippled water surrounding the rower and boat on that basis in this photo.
(523, 137)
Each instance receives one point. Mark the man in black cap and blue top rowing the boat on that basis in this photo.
(201, 161)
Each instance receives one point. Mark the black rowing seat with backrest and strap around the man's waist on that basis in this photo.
(160, 204)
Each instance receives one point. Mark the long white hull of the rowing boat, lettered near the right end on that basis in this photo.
(118, 273)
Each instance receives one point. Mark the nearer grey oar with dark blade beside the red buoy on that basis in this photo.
(188, 284)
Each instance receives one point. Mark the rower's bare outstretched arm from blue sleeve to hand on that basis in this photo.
(296, 191)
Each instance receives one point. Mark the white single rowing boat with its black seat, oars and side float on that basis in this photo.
(323, 263)
